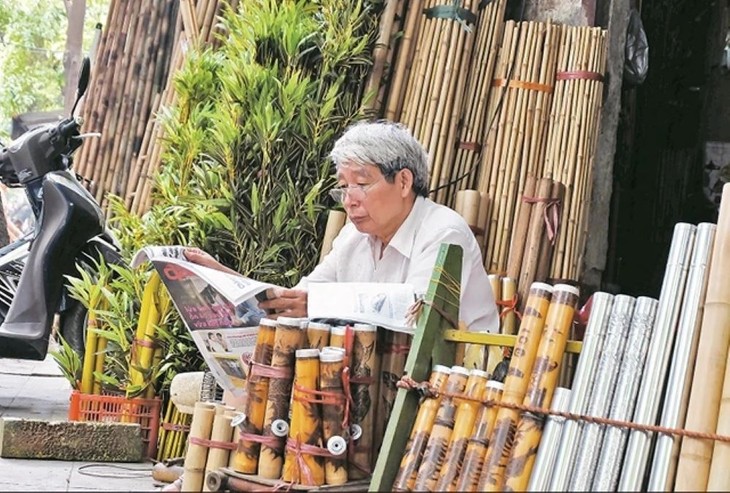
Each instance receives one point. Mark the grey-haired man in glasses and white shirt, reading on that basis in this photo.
(395, 231)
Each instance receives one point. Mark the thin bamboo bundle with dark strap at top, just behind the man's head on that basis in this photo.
(427, 97)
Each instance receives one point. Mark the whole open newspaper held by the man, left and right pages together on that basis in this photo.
(222, 312)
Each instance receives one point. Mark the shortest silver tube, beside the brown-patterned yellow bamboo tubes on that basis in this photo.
(548, 450)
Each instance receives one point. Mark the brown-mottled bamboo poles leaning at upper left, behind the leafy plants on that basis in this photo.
(140, 50)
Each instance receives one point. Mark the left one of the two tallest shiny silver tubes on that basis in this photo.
(660, 346)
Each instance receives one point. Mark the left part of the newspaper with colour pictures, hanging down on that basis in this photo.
(219, 309)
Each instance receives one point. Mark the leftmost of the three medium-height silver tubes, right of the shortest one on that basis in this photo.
(585, 374)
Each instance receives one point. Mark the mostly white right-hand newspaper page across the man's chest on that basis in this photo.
(383, 304)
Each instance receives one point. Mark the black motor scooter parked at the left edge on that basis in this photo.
(70, 231)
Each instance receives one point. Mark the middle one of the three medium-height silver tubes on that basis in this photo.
(591, 435)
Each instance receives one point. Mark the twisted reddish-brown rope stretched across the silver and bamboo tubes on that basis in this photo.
(427, 390)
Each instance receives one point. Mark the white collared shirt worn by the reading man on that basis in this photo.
(410, 258)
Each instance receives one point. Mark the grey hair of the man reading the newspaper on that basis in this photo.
(389, 146)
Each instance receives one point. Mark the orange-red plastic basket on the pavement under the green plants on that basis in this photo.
(119, 409)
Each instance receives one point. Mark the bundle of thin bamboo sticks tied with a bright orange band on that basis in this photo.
(514, 146)
